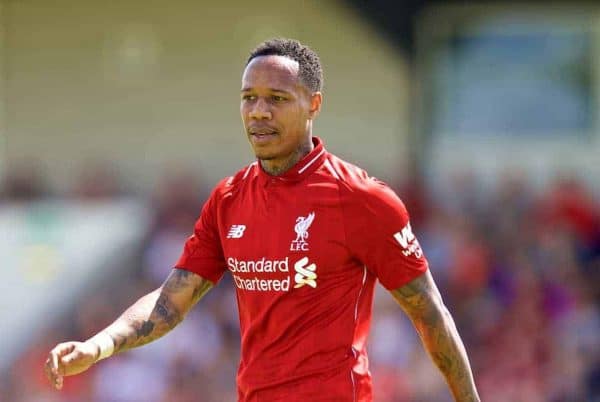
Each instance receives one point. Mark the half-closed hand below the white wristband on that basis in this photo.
(69, 358)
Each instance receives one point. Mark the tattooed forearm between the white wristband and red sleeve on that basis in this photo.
(158, 312)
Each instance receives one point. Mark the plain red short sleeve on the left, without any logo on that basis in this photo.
(202, 251)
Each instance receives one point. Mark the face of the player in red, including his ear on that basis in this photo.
(277, 109)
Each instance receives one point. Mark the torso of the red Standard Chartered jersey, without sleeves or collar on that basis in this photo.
(298, 287)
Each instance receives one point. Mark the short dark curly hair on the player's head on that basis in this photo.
(309, 65)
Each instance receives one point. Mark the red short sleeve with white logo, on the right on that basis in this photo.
(379, 234)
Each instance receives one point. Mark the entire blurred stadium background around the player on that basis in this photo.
(117, 119)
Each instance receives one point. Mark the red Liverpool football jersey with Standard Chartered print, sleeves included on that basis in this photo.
(304, 250)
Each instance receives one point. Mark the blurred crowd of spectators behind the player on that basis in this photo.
(518, 265)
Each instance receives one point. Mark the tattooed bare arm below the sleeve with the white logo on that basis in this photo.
(422, 302)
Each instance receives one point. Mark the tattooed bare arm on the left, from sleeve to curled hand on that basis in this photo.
(149, 318)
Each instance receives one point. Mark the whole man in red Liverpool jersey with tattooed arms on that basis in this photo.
(305, 236)
